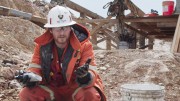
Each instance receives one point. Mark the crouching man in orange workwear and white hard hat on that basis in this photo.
(62, 63)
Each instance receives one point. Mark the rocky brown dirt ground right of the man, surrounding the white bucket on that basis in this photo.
(120, 67)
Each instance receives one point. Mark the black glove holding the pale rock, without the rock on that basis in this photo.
(25, 79)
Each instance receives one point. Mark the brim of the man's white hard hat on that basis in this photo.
(59, 25)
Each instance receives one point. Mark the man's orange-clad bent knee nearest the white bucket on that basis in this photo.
(87, 94)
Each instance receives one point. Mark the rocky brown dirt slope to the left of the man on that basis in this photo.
(16, 46)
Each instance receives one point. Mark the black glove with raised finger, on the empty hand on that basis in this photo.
(83, 76)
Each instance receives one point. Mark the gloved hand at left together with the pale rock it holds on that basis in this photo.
(27, 79)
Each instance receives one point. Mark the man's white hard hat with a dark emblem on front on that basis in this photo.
(59, 16)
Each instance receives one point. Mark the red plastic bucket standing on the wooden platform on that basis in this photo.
(168, 7)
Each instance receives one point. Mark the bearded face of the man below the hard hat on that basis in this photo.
(61, 35)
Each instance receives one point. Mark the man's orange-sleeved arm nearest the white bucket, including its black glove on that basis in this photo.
(89, 77)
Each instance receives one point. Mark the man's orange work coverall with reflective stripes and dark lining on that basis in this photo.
(60, 84)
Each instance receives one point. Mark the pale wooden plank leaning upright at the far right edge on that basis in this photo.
(176, 39)
